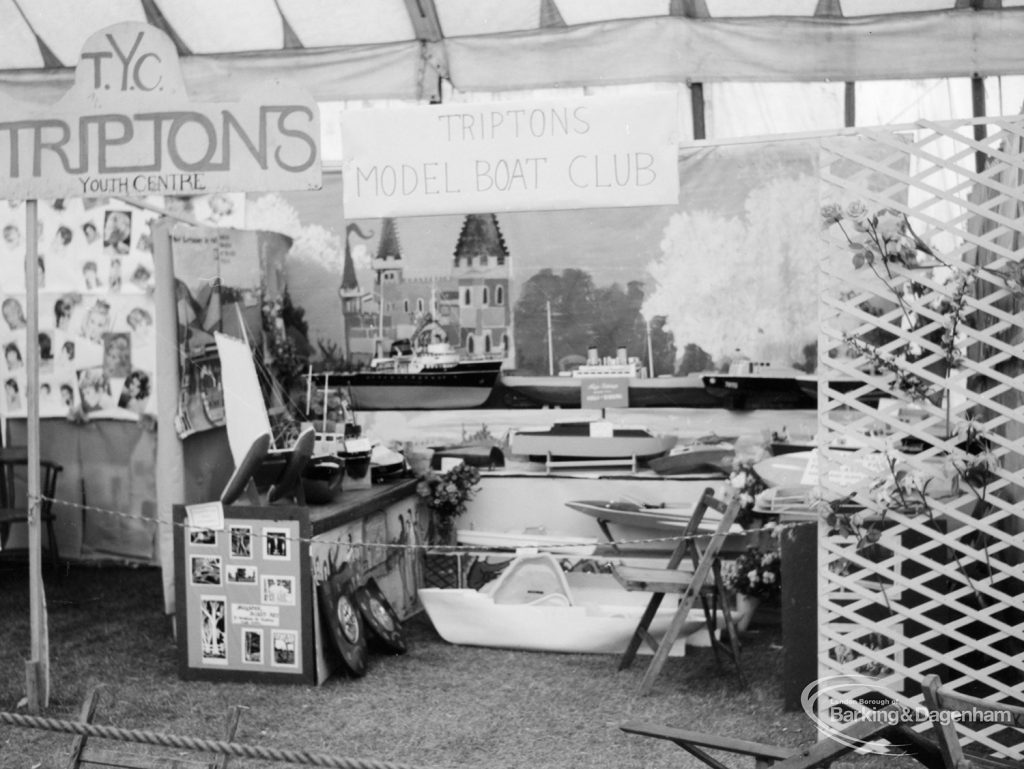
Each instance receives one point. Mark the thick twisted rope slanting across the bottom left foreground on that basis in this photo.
(194, 744)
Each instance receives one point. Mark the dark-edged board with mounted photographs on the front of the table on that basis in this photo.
(244, 597)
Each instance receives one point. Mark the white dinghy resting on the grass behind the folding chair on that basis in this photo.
(537, 607)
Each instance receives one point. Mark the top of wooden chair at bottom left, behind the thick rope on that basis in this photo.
(86, 753)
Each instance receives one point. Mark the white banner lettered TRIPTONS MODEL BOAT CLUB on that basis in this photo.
(594, 152)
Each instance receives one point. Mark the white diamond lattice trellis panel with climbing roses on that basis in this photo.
(921, 347)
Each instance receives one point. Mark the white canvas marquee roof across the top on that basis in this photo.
(402, 50)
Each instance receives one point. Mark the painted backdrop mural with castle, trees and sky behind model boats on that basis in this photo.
(729, 272)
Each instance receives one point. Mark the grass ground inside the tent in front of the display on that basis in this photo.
(439, 706)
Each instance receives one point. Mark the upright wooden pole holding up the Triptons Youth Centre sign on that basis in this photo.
(37, 670)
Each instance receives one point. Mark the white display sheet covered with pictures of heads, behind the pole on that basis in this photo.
(97, 337)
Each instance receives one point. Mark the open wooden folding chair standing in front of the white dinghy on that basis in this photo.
(705, 583)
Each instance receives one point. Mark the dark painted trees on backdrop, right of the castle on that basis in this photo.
(583, 316)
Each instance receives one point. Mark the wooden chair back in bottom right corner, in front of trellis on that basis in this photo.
(947, 708)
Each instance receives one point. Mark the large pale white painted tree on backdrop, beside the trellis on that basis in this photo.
(729, 283)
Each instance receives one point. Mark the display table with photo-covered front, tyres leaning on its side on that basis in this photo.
(246, 596)
